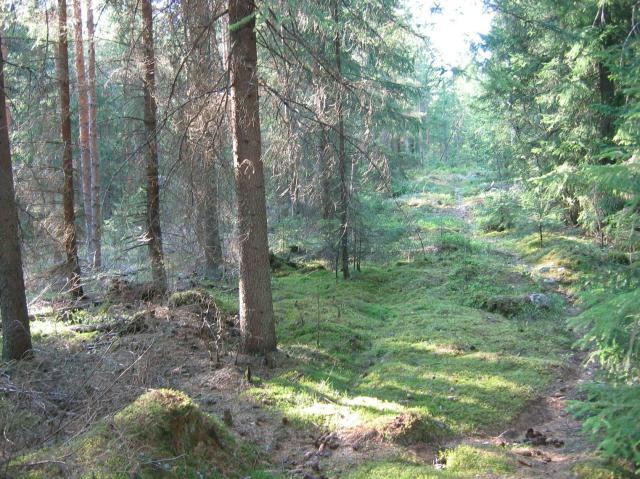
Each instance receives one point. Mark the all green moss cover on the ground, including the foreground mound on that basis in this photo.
(409, 336)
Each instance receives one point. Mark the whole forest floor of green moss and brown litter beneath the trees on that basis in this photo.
(453, 361)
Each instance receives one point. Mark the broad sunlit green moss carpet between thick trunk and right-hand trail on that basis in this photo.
(413, 338)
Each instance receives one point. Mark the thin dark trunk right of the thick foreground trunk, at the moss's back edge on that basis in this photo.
(342, 160)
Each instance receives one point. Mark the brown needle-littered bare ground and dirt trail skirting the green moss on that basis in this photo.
(137, 361)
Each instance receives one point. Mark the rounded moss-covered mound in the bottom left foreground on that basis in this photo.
(161, 434)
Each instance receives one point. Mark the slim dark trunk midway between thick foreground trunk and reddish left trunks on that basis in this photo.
(154, 234)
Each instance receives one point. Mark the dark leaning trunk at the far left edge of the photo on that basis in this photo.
(16, 337)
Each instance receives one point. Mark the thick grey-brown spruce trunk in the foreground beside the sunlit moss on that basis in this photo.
(257, 322)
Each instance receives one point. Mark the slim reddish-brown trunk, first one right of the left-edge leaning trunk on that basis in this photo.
(70, 244)
